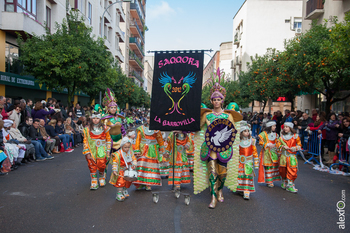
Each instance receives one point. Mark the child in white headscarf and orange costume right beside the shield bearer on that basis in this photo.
(247, 150)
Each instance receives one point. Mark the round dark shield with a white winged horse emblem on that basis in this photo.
(220, 135)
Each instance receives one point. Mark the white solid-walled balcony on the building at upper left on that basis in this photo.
(20, 22)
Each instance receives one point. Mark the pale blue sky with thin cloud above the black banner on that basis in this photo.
(189, 24)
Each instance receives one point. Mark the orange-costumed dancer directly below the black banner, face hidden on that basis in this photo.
(181, 170)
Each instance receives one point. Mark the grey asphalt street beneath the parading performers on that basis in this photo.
(54, 196)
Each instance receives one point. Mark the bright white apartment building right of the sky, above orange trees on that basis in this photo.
(259, 25)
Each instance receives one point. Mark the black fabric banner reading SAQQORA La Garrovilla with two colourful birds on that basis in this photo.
(177, 91)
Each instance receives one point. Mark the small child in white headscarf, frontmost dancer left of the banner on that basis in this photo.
(122, 159)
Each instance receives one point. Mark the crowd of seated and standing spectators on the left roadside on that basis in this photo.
(31, 132)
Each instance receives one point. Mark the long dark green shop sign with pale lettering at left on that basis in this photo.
(29, 82)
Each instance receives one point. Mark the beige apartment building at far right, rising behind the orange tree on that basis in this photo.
(320, 11)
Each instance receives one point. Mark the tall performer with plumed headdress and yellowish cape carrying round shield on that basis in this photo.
(221, 167)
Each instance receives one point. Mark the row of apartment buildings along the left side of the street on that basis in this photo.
(108, 19)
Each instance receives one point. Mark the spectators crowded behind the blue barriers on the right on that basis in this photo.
(334, 127)
